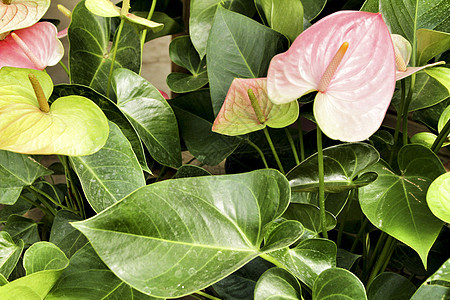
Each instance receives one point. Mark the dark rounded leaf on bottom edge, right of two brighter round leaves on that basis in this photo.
(389, 285)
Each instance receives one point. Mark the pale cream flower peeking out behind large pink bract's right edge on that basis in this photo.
(403, 50)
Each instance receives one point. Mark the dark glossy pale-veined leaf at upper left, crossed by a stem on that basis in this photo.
(89, 56)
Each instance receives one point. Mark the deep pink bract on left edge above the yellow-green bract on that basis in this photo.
(41, 39)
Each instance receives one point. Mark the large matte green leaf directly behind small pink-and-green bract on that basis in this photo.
(243, 46)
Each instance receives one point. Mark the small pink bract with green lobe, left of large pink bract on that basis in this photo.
(240, 114)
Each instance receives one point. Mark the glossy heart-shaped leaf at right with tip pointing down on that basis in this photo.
(396, 204)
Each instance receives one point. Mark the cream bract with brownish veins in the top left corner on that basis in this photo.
(21, 13)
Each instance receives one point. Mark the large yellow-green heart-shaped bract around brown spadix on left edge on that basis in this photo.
(73, 126)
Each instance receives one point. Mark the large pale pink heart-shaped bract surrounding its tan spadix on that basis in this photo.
(352, 107)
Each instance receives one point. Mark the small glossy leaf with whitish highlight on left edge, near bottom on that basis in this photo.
(9, 253)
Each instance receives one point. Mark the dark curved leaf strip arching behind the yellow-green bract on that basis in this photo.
(112, 112)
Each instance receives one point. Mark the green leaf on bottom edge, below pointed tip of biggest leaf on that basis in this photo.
(87, 277)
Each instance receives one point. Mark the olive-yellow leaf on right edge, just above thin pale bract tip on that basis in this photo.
(431, 43)
